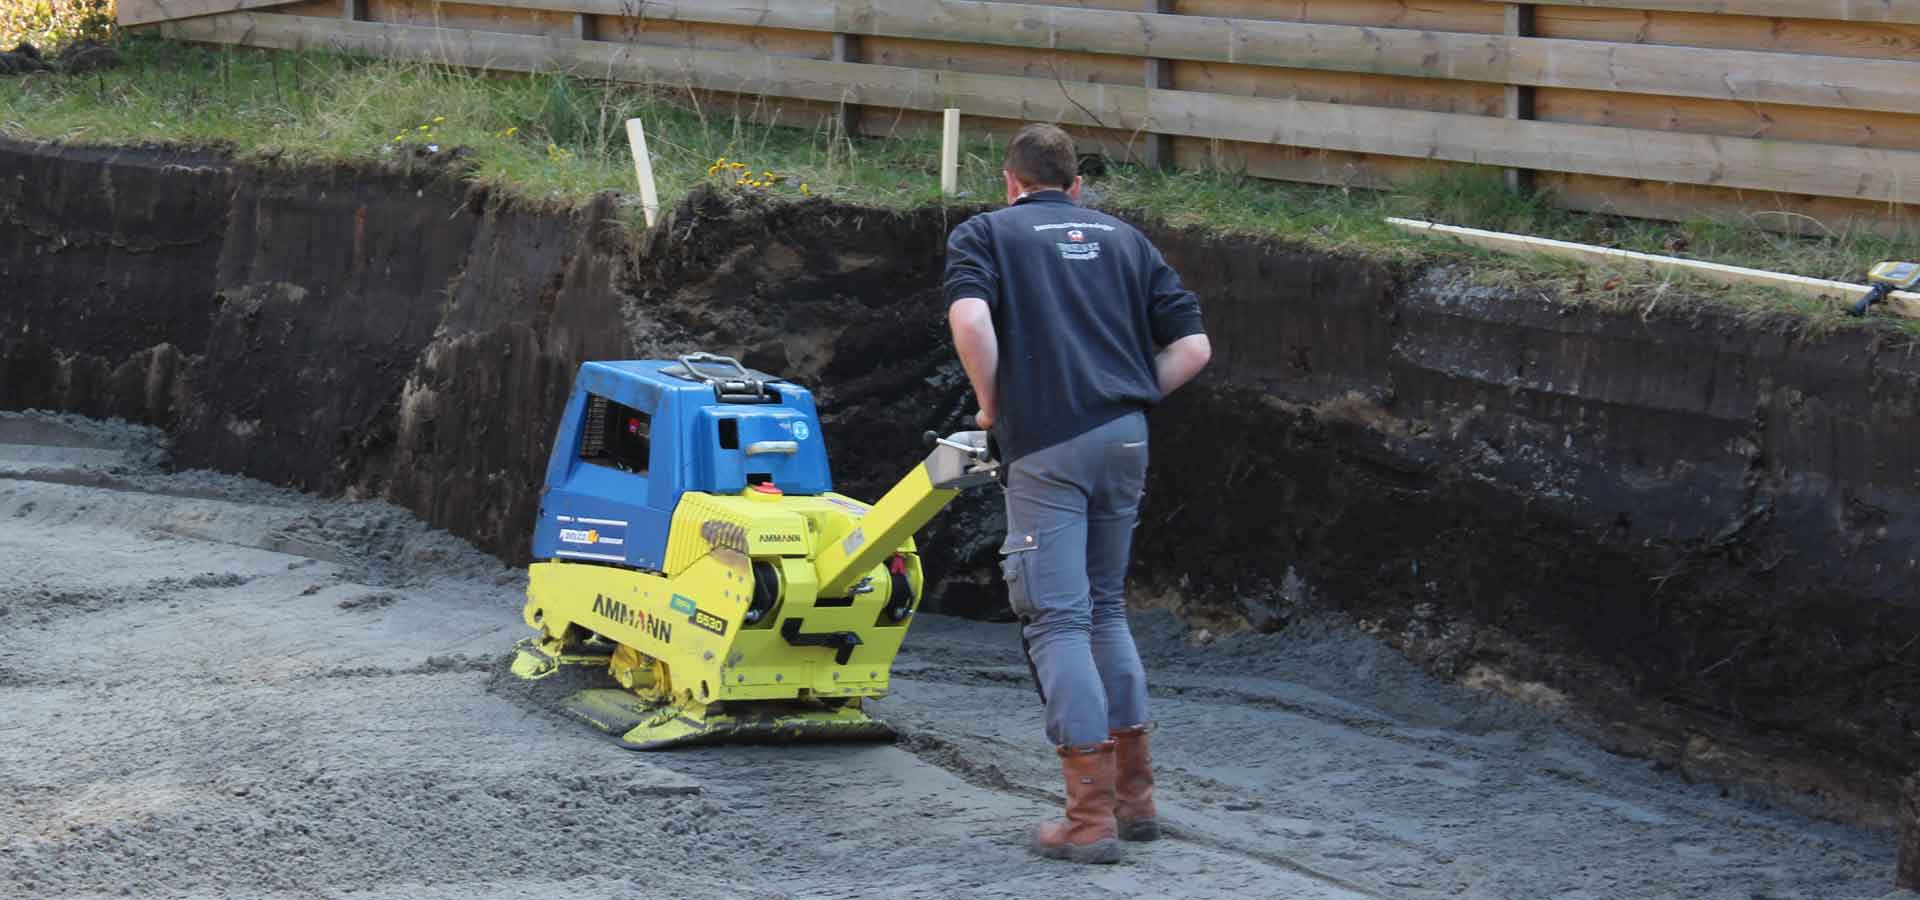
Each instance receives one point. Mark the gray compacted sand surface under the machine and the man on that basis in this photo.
(220, 690)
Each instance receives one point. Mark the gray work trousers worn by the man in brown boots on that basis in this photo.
(1070, 515)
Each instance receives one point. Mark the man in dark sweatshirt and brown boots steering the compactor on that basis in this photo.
(1070, 325)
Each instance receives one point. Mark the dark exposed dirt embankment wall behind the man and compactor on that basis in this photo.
(1694, 525)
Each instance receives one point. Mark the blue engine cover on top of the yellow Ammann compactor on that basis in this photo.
(635, 438)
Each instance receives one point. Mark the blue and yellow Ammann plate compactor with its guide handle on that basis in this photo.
(694, 561)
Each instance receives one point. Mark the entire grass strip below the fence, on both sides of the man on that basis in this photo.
(562, 139)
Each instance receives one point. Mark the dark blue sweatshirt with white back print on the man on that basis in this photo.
(1082, 302)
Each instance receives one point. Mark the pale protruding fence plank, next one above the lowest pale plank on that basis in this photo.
(1756, 78)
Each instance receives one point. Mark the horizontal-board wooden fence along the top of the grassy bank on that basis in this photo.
(1798, 114)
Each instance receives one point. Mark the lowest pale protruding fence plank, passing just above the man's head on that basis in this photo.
(1892, 176)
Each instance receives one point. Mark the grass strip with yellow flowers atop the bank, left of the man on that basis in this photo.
(542, 137)
